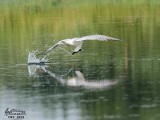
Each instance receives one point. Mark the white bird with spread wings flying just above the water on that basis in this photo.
(78, 42)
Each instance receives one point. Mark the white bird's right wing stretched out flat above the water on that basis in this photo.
(96, 37)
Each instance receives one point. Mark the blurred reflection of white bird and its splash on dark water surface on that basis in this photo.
(77, 81)
